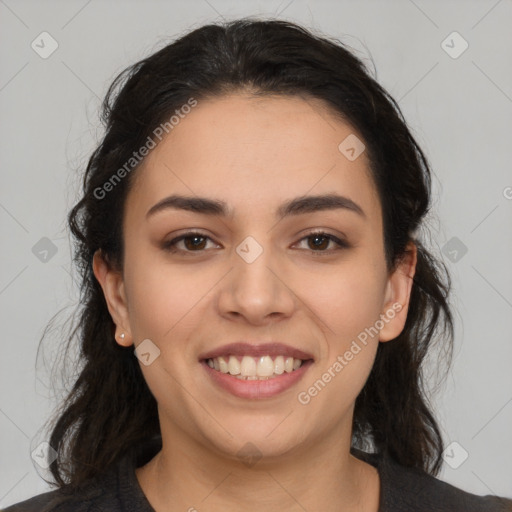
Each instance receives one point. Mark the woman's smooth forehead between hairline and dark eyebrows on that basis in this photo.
(254, 151)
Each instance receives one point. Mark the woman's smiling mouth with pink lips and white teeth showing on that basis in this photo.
(256, 371)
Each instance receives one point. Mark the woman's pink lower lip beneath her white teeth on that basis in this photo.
(256, 389)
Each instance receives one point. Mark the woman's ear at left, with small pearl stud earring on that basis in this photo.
(112, 283)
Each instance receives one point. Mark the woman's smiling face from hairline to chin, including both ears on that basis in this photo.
(256, 273)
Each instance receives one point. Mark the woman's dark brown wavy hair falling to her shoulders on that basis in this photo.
(110, 409)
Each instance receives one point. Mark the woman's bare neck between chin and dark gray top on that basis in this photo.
(325, 476)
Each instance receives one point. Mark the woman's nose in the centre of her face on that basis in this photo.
(256, 290)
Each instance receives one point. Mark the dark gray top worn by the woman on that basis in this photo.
(401, 490)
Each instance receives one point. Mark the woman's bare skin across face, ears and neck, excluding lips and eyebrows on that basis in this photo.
(268, 150)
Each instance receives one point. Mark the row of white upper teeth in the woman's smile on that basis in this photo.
(255, 367)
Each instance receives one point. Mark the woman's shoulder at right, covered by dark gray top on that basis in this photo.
(406, 489)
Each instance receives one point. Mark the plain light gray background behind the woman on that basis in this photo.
(458, 108)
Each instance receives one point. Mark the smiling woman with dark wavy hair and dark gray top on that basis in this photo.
(257, 304)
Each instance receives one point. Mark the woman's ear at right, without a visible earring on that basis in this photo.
(398, 292)
